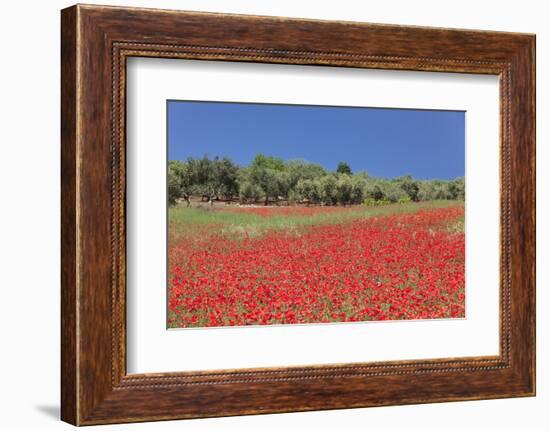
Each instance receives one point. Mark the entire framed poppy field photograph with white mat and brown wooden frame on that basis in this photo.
(263, 214)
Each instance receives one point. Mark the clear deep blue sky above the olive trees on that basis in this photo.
(426, 144)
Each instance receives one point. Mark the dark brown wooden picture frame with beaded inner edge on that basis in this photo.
(95, 43)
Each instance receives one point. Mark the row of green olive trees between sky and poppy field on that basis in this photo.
(271, 180)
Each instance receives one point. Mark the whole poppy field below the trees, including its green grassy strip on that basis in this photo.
(233, 265)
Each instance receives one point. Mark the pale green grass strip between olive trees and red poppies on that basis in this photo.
(182, 219)
